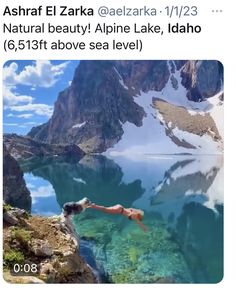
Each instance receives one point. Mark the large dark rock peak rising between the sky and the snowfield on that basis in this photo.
(91, 110)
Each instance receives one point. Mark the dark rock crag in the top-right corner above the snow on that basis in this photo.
(203, 79)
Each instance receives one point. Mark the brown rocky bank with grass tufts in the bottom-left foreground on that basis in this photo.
(46, 242)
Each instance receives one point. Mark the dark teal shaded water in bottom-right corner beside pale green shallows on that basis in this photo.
(199, 231)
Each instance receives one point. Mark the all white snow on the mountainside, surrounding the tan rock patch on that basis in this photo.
(151, 137)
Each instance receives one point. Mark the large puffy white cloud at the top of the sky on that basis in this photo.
(42, 73)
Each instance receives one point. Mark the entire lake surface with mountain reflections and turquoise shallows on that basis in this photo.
(182, 197)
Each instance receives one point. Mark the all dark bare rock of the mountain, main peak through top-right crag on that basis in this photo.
(102, 98)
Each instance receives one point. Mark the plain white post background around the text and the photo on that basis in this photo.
(216, 41)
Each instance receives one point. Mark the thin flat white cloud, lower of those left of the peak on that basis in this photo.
(39, 109)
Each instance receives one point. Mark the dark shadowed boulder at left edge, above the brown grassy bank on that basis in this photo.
(15, 191)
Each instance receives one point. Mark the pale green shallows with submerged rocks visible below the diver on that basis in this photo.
(129, 255)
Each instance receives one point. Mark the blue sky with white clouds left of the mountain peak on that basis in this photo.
(30, 89)
